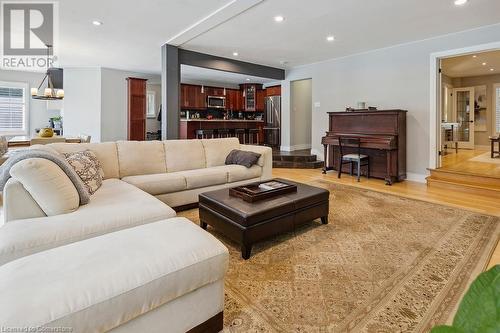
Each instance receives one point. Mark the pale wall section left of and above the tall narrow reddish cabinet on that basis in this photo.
(114, 102)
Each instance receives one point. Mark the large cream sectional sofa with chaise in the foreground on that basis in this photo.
(129, 234)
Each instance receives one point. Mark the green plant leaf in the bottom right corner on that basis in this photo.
(479, 310)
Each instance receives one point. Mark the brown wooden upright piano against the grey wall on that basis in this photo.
(382, 134)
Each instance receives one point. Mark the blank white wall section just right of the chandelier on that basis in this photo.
(82, 102)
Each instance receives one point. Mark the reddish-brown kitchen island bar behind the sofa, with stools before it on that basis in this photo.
(188, 127)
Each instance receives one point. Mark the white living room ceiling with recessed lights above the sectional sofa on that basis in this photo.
(132, 31)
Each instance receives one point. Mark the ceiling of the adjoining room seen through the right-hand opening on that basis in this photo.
(472, 65)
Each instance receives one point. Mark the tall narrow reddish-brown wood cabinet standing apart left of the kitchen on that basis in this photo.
(136, 109)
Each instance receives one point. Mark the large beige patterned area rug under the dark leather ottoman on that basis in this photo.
(383, 264)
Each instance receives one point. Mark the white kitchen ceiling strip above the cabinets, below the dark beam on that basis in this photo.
(197, 75)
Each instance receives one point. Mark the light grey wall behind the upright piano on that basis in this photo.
(395, 77)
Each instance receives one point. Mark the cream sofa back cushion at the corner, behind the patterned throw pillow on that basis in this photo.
(106, 153)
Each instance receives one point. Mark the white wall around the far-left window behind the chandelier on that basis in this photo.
(39, 111)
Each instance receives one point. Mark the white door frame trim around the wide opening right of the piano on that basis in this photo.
(435, 93)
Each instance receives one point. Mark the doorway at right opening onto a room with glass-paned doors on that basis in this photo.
(468, 114)
